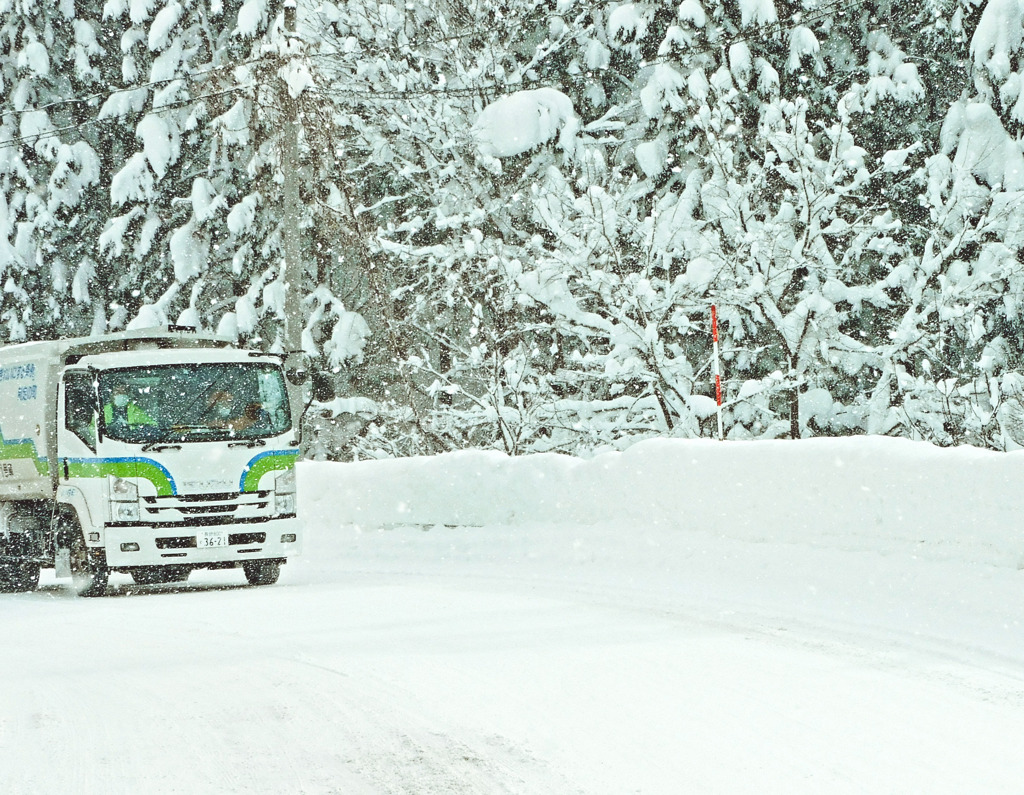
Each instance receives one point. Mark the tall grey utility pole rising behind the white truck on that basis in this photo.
(293, 270)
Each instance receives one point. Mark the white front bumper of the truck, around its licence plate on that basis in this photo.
(145, 546)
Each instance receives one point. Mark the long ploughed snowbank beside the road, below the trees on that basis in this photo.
(867, 493)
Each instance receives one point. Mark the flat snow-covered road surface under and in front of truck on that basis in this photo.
(529, 660)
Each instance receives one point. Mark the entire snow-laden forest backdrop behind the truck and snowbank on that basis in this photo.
(517, 217)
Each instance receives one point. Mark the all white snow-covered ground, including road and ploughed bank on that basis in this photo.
(823, 616)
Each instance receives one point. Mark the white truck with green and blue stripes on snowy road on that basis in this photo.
(153, 453)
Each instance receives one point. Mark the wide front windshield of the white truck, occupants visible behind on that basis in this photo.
(194, 403)
